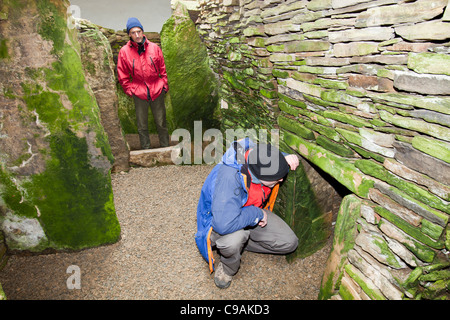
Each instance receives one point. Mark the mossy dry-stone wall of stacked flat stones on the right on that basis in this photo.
(360, 89)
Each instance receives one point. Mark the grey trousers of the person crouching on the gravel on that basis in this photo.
(275, 238)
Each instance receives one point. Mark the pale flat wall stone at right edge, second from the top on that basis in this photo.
(430, 30)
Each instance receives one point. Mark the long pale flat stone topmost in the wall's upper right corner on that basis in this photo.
(404, 13)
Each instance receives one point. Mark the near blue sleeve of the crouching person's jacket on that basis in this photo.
(228, 213)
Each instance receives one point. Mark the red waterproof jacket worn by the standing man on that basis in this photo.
(142, 75)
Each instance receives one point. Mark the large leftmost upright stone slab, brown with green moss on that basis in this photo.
(55, 156)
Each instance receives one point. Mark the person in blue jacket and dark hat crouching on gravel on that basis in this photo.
(234, 211)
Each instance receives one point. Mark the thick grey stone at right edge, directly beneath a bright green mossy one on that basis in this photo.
(422, 83)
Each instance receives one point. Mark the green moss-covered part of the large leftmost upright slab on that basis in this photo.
(71, 199)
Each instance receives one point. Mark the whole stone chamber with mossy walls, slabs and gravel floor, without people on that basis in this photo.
(352, 88)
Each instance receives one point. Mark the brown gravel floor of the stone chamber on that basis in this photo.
(157, 257)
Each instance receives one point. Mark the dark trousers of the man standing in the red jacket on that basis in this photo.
(159, 114)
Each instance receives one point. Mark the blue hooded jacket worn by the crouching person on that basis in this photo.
(222, 200)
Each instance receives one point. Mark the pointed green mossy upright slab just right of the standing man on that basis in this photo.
(193, 87)
